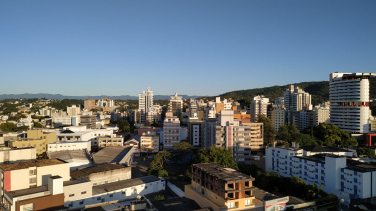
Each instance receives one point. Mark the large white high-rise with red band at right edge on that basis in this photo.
(349, 101)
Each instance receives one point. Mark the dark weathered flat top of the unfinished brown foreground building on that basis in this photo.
(221, 172)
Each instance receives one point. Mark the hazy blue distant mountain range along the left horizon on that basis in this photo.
(62, 97)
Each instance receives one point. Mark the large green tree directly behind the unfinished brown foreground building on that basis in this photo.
(216, 155)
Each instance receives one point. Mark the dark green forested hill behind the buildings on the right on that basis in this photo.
(319, 91)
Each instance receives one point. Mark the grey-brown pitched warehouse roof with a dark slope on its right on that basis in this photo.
(111, 154)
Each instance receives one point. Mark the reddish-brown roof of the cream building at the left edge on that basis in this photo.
(27, 164)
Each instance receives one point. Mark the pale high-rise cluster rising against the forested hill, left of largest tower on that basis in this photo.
(296, 99)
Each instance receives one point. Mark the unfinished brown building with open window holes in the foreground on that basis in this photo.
(221, 188)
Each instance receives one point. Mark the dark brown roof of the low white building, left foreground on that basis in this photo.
(85, 172)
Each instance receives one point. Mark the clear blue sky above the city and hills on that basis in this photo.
(195, 47)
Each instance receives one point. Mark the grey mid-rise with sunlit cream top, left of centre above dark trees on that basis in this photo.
(171, 131)
